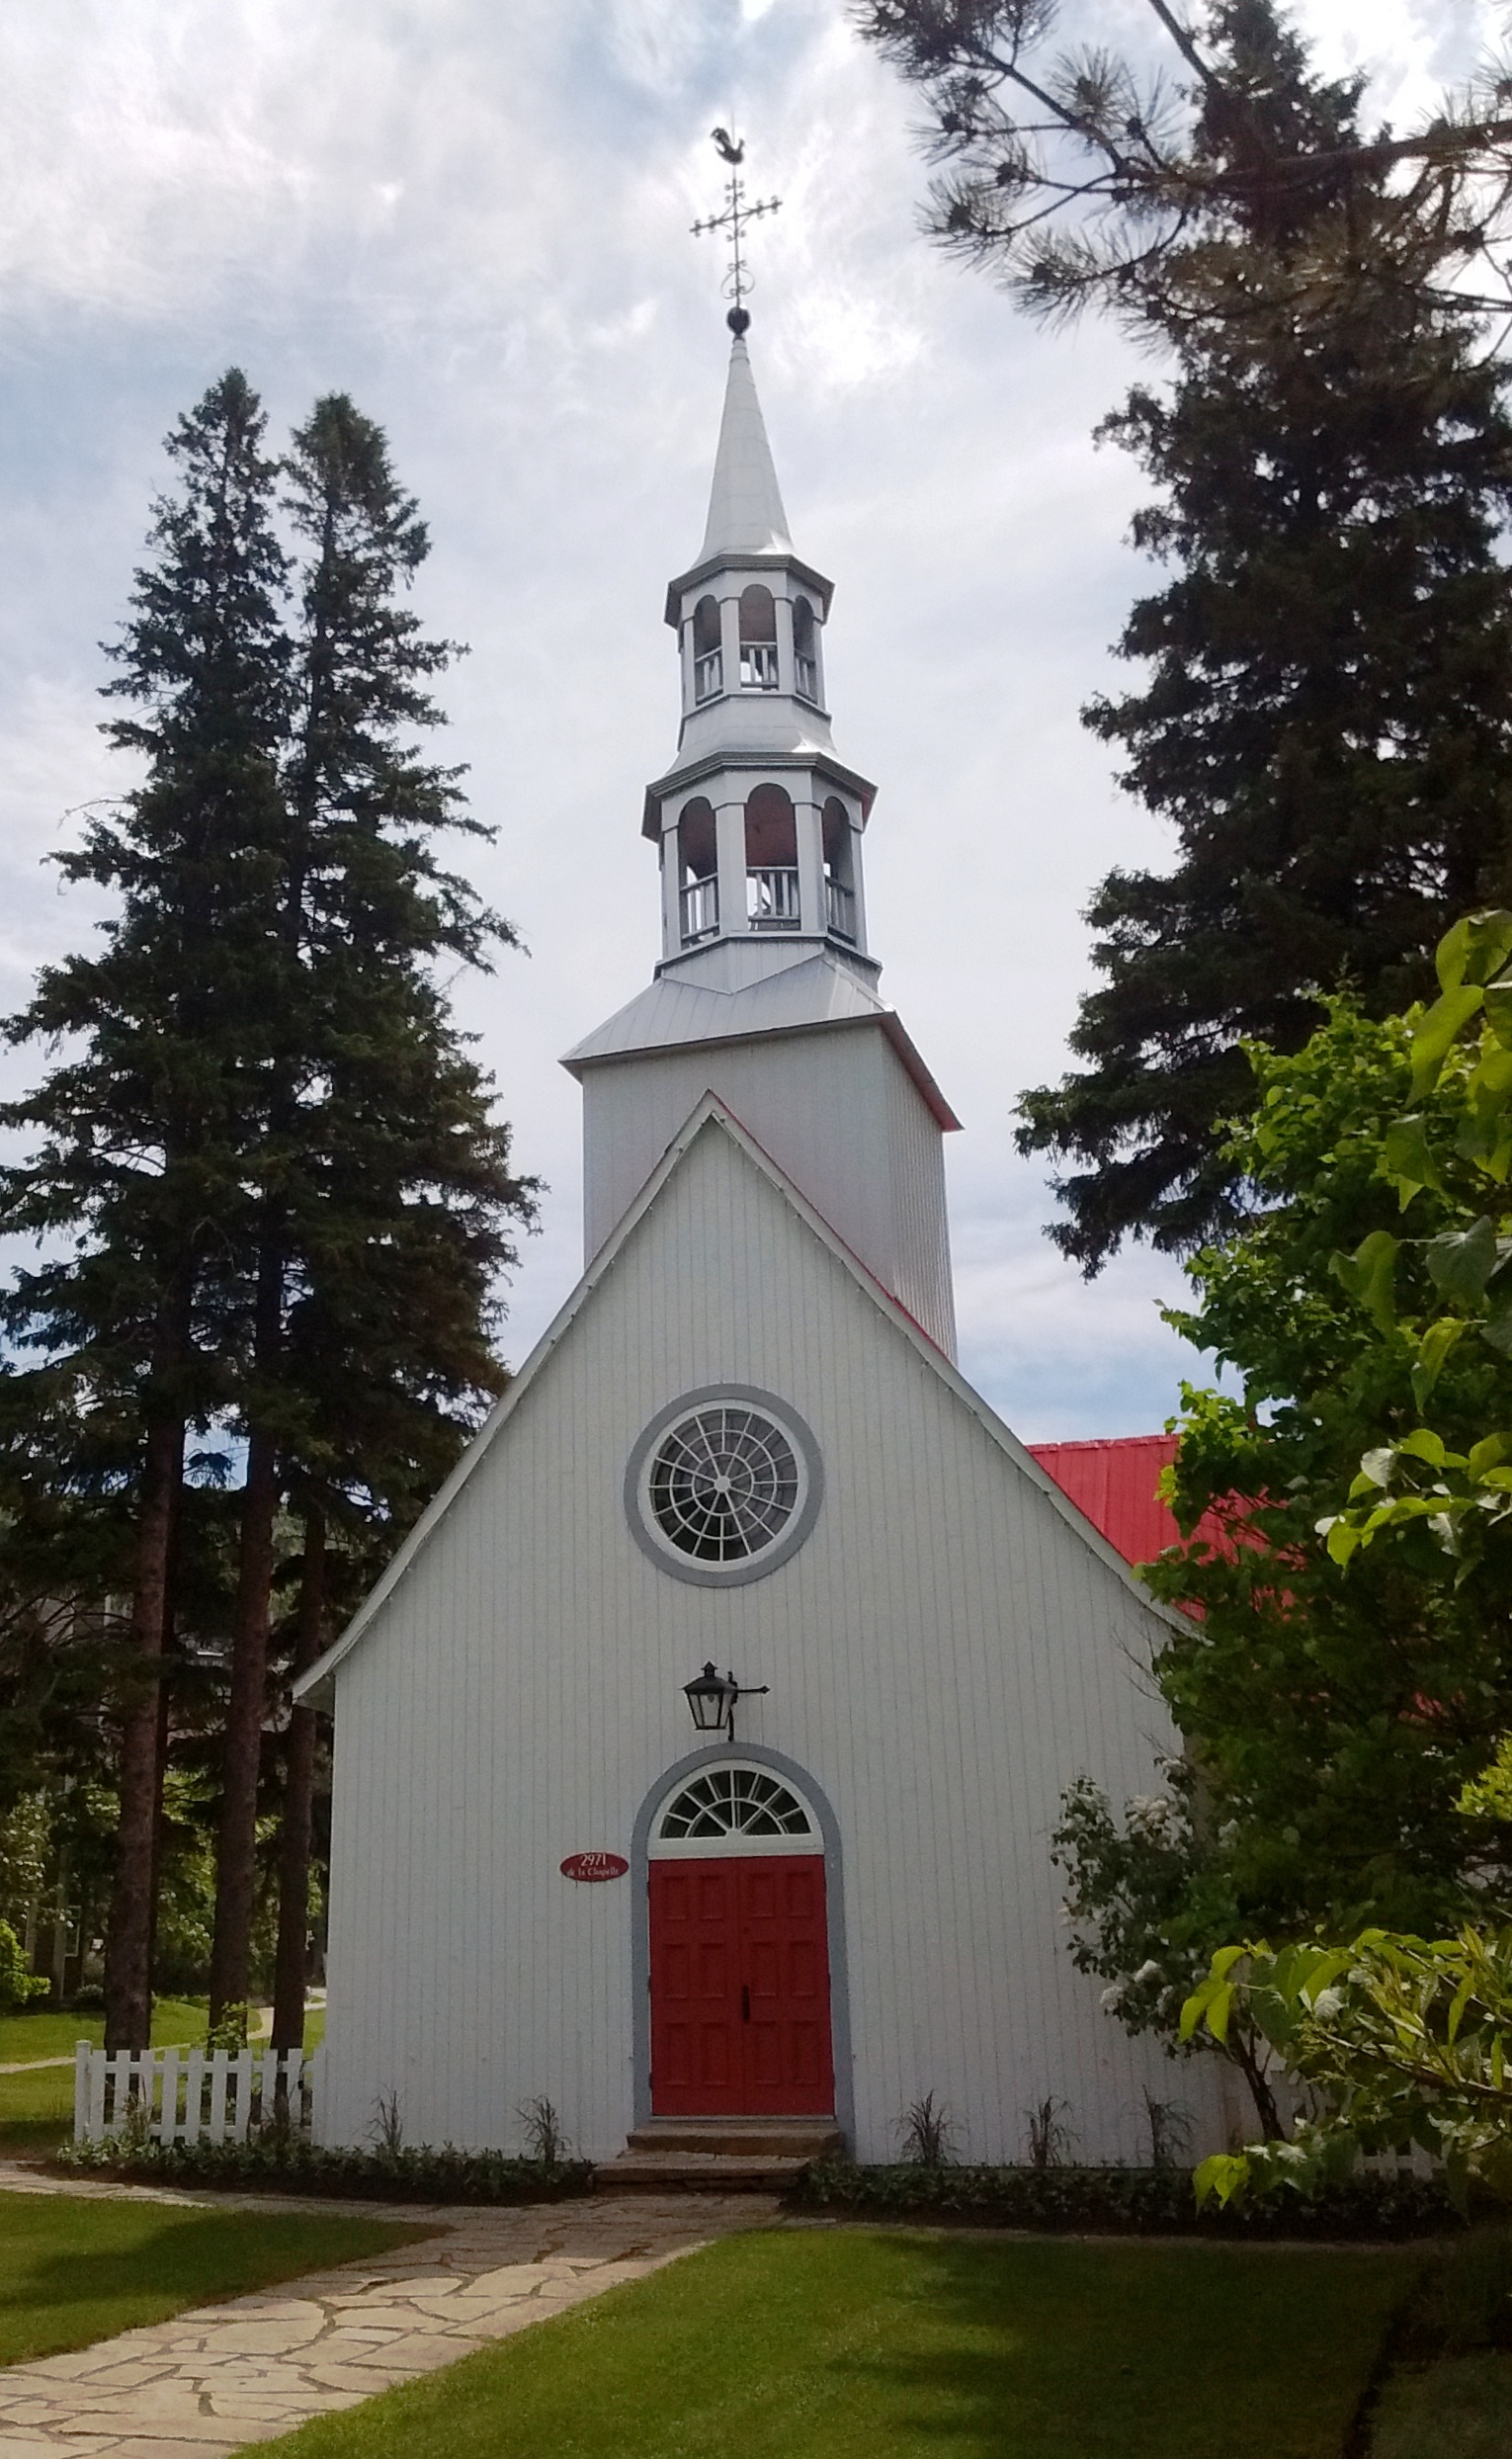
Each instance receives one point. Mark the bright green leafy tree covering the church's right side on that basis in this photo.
(1341, 1668)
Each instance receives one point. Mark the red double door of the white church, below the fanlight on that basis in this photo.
(741, 1988)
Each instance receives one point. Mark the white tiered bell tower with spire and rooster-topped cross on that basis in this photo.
(766, 990)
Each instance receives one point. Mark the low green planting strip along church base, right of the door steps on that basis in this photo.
(1135, 2202)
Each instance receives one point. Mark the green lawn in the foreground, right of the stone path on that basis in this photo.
(896, 2345)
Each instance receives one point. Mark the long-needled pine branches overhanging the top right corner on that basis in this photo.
(1120, 173)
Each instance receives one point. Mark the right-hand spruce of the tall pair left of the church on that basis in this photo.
(382, 1191)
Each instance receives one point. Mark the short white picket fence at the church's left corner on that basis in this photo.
(218, 2096)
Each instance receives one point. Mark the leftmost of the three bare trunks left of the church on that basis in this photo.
(129, 1936)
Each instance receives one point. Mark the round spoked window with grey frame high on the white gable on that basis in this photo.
(724, 1486)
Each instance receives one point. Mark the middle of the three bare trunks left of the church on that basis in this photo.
(237, 1855)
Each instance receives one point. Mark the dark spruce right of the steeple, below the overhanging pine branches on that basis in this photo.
(1326, 724)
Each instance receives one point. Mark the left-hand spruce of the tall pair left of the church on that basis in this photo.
(139, 1169)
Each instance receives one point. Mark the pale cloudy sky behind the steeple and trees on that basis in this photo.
(473, 215)
